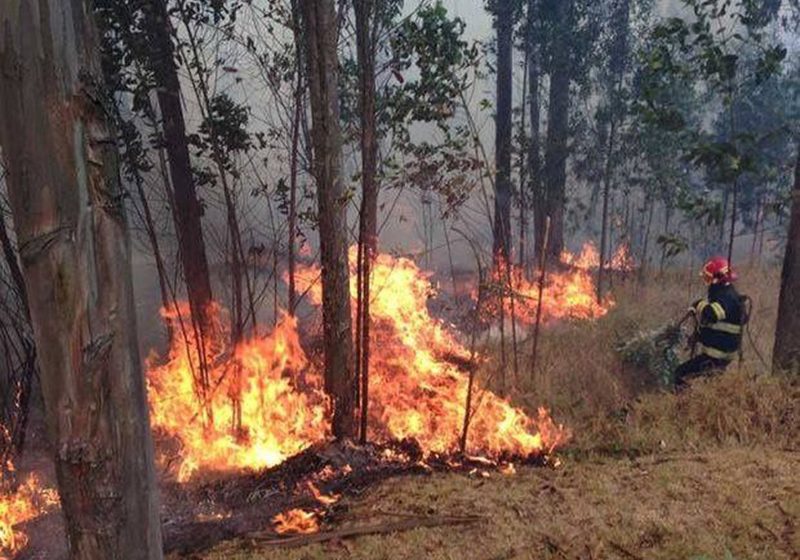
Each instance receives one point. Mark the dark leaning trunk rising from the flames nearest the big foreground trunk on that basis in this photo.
(186, 209)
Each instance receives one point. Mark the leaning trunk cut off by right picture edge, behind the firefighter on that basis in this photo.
(786, 354)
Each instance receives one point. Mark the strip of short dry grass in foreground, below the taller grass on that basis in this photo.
(728, 503)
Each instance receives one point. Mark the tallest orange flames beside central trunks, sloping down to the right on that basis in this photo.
(415, 391)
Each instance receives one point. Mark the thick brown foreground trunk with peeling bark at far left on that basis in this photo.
(67, 205)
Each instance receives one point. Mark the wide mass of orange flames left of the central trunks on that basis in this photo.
(280, 407)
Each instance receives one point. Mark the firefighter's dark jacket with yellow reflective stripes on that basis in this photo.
(721, 319)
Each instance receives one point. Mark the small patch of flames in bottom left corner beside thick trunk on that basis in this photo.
(29, 501)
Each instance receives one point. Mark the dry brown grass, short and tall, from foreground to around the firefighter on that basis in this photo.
(708, 474)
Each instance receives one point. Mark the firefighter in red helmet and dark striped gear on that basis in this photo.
(720, 318)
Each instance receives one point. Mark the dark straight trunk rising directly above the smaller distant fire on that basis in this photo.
(503, 129)
